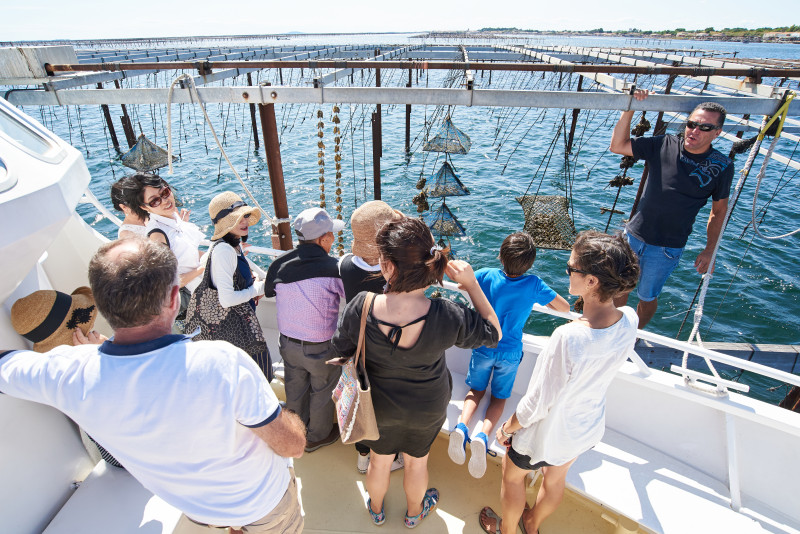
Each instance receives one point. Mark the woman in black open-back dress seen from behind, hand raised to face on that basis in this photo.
(406, 337)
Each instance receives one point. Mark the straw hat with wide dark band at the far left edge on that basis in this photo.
(49, 318)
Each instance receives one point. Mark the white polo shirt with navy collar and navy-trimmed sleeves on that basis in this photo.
(175, 413)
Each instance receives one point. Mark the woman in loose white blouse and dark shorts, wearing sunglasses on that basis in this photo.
(562, 414)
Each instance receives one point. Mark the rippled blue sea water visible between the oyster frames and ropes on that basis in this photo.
(754, 294)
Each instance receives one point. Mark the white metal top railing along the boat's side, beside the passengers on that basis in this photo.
(719, 383)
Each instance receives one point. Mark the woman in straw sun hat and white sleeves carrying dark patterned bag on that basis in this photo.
(224, 304)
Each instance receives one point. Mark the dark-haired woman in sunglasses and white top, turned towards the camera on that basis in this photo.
(153, 200)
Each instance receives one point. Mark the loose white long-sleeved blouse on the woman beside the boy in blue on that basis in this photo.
(563, 411)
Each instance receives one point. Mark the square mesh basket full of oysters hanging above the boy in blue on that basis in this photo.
(547, 220)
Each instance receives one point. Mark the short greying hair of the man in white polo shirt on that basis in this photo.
(130, 287)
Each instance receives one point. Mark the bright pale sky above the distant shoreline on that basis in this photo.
(93, 19)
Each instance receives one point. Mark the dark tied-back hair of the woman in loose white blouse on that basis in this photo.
(608, 258)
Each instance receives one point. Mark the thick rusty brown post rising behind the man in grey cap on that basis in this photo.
(282, 234)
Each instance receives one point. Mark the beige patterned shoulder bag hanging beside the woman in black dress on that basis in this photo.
(352, 395)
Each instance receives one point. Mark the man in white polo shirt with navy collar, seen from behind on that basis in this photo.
(195, 422)
